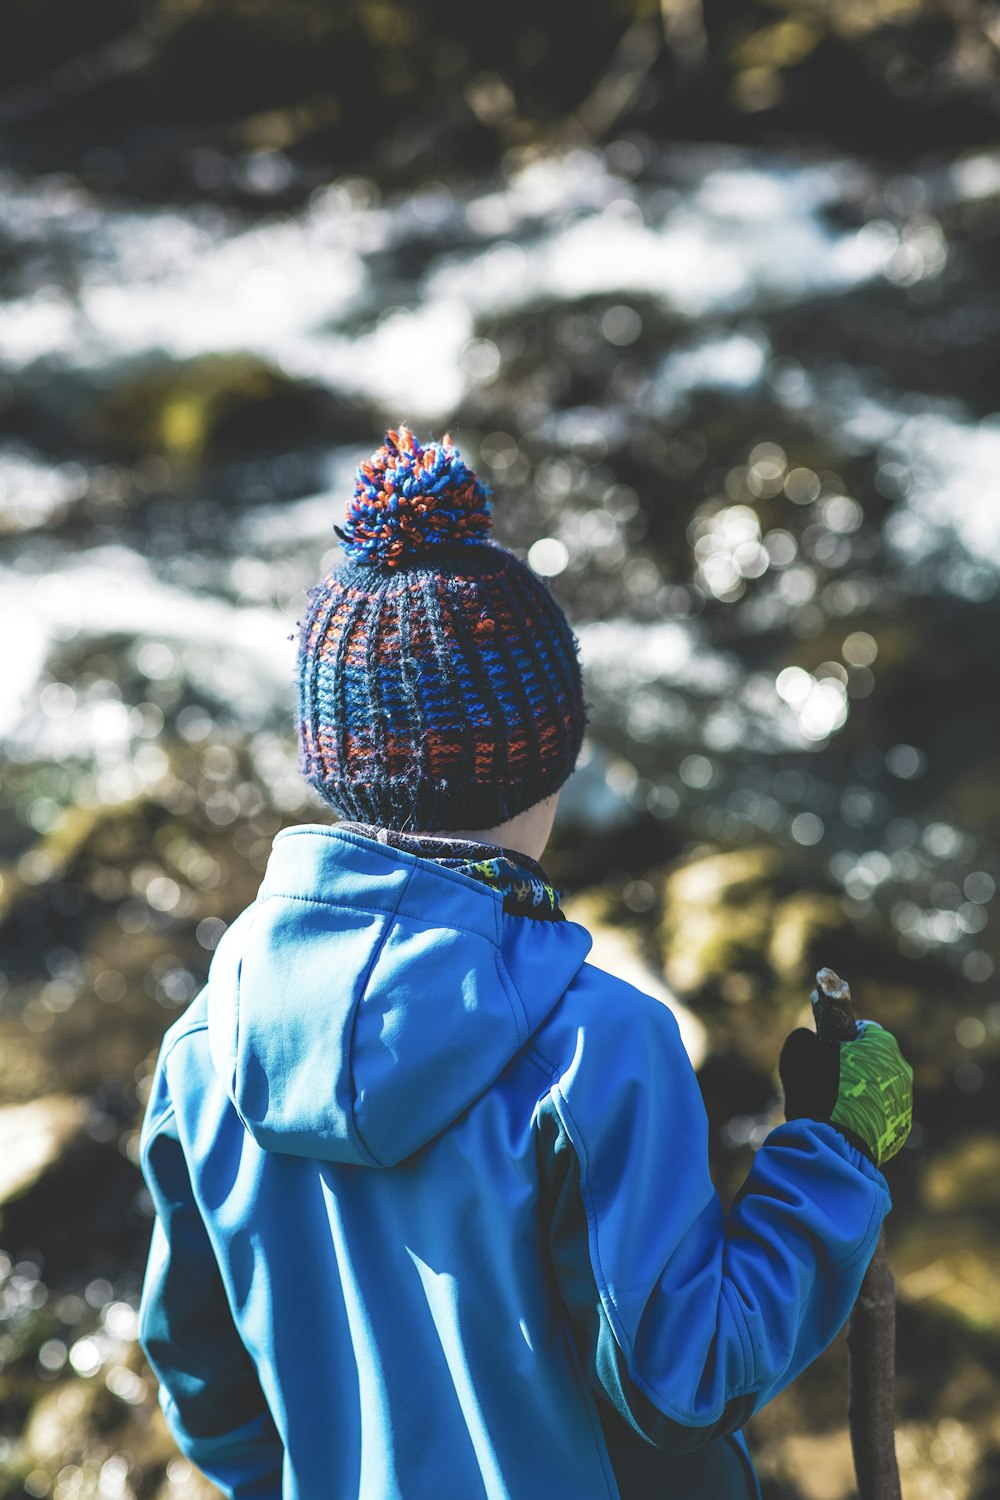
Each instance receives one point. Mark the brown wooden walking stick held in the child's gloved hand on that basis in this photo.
(872, 1334)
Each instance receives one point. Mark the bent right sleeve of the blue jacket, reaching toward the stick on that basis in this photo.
(686, 1318)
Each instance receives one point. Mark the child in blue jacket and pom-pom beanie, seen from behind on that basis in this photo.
(434, 1213)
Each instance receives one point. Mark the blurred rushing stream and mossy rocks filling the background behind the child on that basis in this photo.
(711, 295)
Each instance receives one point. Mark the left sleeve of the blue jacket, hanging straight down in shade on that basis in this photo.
(209, 1388)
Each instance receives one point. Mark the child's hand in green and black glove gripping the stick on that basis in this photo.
(863, 1087)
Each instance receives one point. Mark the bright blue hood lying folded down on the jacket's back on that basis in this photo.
(370, 997)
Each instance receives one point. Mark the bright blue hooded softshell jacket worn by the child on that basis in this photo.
(434, 1213)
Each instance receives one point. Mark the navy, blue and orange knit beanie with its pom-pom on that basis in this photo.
(440, 682)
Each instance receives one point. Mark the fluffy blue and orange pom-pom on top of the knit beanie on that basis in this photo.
(412, 500)
